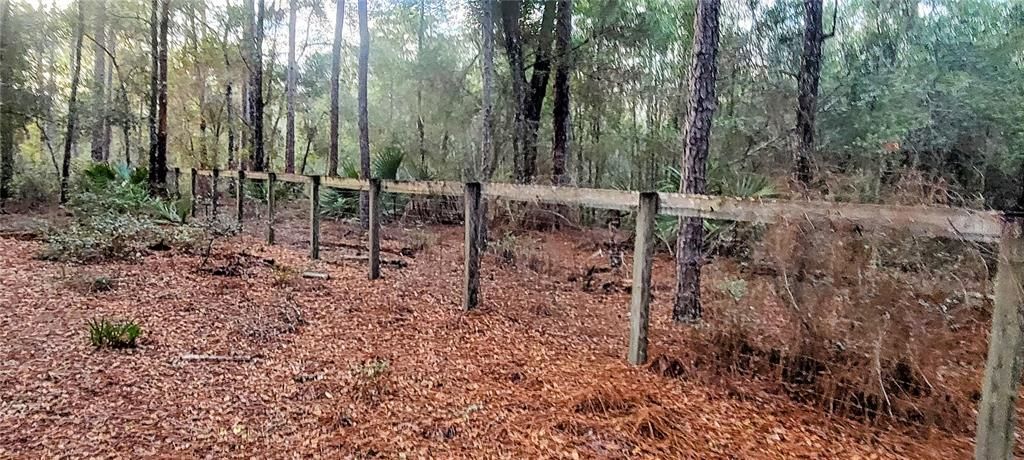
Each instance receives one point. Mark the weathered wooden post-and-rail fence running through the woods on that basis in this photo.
(1003, 373)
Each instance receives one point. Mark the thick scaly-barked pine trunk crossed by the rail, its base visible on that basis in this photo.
(697, 137)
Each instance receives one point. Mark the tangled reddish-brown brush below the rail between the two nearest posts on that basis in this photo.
(858, 324)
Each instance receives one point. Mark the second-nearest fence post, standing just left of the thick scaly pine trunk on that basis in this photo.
(644, 253)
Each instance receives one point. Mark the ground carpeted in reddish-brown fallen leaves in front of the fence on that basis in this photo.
(350, 368)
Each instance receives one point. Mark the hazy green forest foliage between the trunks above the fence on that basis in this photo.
(915, 96)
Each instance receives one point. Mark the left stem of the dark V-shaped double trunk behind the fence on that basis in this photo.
(510, 11)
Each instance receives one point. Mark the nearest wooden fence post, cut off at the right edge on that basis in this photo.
(1003, 371)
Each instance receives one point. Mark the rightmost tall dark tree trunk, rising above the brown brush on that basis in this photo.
(807, 101)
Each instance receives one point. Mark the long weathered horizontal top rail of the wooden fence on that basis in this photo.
(920, 221)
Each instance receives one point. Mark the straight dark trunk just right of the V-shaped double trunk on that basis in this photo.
(563, 107)
